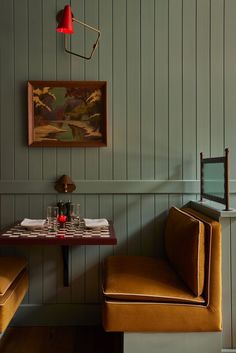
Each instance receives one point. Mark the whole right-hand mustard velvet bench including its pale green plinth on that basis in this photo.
(166, 305)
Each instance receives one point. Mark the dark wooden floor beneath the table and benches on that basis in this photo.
(82, 339)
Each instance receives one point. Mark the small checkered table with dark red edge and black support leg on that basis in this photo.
(18, 235)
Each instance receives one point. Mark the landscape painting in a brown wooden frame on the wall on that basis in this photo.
(67, 113)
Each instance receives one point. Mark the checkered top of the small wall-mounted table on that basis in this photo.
(75, 234)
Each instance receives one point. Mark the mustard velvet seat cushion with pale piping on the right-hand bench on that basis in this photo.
(145, 279)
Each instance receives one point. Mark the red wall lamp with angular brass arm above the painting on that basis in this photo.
(65, 20)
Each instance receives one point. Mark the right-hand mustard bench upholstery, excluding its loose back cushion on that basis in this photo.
(144, 294)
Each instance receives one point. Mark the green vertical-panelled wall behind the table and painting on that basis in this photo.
(170, 66)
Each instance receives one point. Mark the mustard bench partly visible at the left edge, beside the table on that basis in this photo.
(13, 287)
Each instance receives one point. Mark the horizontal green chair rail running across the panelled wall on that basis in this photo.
(106, 187)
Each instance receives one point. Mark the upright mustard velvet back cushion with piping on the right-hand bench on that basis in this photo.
(185, 248)
